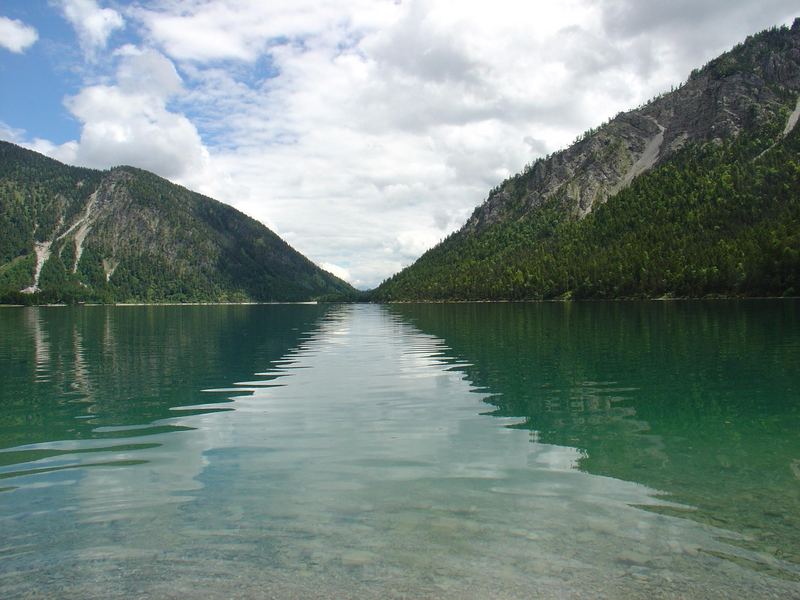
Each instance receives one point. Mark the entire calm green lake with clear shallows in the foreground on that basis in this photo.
(620, 450)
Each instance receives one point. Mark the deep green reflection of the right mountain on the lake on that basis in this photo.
(698, 400)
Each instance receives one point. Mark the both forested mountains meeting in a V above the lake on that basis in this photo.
(694, 194)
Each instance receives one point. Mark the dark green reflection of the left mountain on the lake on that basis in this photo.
(68, 372)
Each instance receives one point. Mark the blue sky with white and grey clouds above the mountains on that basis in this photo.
(363, 131)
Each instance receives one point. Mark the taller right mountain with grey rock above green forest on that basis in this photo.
(696, 193)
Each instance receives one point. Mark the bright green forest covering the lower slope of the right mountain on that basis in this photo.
(719, 219)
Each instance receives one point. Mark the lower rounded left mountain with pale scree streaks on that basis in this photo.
(72, 234)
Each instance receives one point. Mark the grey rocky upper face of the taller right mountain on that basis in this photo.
(743, 88)
